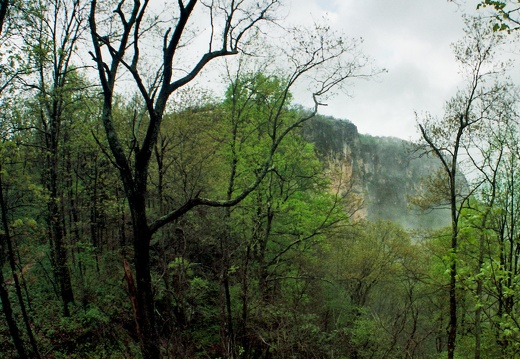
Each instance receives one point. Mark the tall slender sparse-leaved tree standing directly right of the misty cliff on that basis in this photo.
(449, 138)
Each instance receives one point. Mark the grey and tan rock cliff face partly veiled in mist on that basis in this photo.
(383, 170)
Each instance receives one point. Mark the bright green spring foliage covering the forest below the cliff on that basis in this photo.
(287, 273)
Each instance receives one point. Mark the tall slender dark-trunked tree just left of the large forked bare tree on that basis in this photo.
(54, 33)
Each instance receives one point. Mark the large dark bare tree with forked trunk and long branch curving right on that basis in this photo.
(120, 41)
